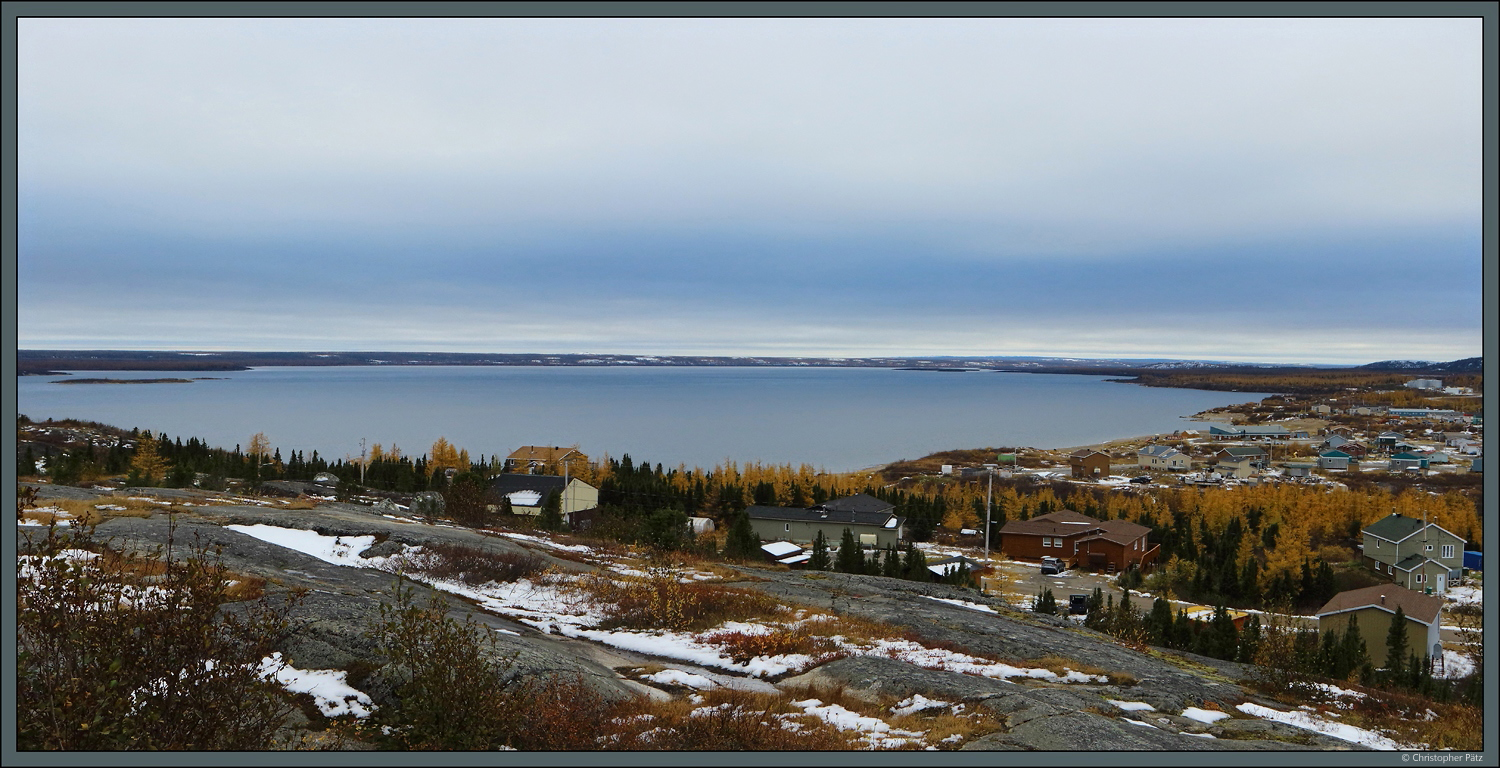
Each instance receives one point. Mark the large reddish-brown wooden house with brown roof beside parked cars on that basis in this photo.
(1079, 541)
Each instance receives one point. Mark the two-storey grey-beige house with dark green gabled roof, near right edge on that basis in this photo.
(1417, 556)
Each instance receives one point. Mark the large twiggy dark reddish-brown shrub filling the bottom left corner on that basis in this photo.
(136, 653)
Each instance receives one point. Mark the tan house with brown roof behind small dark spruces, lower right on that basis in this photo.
(1375, 610)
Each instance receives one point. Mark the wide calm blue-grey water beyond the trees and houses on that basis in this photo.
(836, 419)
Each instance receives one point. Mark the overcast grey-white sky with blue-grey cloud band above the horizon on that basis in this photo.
(1228, 190)
